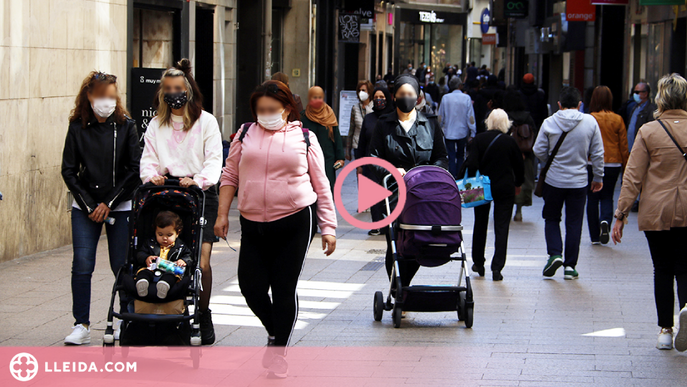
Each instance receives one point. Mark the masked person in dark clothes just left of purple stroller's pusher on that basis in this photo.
(382, 104)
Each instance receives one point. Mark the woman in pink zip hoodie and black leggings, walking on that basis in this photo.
(278, 169)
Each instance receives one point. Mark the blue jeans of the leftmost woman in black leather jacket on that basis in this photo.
(85, 237)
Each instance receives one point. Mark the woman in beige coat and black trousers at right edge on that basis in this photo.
(658, 168)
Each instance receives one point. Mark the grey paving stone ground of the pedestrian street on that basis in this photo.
(599, 330)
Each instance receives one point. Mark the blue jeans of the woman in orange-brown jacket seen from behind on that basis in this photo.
(602, 199)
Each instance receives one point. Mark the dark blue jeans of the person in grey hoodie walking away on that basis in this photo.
(554, 200)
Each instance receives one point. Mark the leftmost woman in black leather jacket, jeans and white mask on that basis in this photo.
(100, 166)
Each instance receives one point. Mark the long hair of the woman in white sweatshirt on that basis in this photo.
(193, 108)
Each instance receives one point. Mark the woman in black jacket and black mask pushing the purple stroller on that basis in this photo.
(406, 138)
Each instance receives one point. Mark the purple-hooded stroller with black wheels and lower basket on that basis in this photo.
(429, 232)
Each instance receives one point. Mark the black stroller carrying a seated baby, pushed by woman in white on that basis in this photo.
(177, 326)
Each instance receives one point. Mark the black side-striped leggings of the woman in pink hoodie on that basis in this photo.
(272, 256)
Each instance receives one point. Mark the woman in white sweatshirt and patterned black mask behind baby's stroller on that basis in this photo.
(184, 142)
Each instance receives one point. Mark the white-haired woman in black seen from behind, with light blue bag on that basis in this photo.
(495, 154)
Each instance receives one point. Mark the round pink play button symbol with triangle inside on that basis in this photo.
(369, 193)
